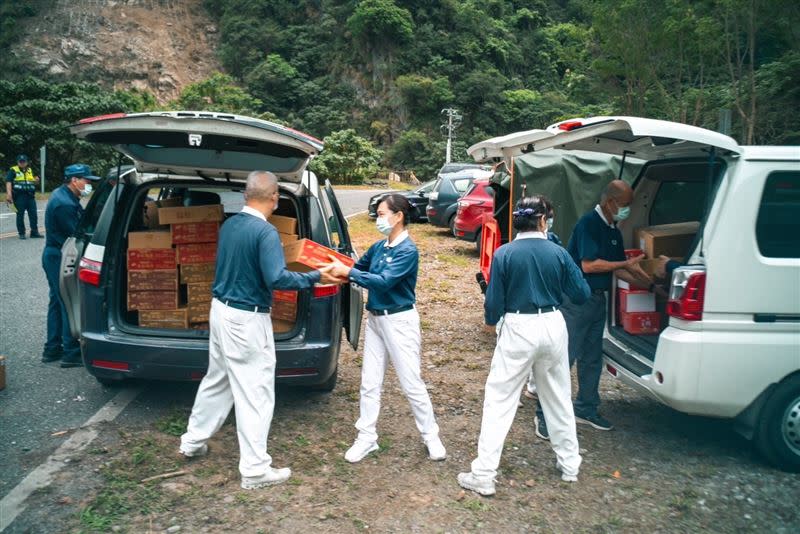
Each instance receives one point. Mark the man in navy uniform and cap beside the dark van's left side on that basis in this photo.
(60, 220)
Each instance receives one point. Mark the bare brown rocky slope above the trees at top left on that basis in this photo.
(158, 45)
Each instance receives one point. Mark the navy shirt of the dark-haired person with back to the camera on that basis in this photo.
(530, 273)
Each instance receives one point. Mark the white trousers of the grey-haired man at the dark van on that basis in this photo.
(241, 373)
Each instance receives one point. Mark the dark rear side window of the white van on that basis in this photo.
(777, 226)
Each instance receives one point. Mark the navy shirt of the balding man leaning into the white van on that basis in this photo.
(593, 239)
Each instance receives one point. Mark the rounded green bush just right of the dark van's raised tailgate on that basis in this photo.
(347, 158)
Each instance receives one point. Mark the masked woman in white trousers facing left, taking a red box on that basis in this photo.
(389, 271)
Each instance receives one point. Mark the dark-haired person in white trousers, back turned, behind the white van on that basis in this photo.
(528, 277)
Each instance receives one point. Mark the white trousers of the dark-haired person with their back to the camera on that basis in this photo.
(525, 342)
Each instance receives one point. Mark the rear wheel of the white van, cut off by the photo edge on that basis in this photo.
(778, 436)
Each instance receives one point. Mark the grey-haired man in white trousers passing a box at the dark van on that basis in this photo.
(241, 366)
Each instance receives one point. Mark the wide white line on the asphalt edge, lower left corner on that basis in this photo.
(13, 503)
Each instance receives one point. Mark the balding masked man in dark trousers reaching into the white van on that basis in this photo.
(596, 247)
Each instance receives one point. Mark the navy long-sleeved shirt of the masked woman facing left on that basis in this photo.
(389, 273)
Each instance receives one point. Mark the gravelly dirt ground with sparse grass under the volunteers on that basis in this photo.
(658, 471)
